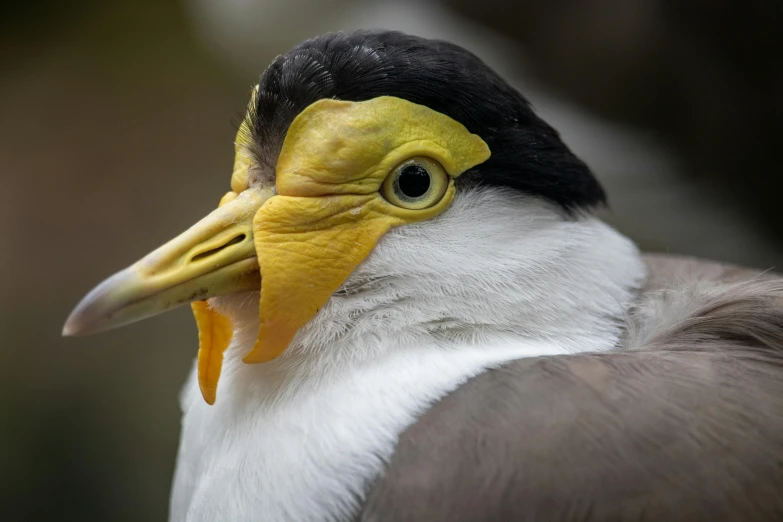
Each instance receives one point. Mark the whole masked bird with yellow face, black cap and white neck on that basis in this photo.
(409, 309)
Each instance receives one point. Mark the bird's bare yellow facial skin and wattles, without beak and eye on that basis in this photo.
(328, 213)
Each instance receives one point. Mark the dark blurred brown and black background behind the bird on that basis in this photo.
(116, 133)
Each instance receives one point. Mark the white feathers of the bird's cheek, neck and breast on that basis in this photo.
(495, 278)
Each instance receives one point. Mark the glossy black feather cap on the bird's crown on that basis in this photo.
(527, 154)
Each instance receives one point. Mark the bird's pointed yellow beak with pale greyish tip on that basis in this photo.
(214, 257)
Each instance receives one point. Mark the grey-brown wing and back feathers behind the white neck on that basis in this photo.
(686, 423)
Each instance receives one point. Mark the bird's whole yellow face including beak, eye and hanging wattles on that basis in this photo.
(347, 173)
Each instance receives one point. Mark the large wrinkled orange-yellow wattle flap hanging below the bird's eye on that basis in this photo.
(309, 246)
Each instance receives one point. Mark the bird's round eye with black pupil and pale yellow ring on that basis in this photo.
(416, 183)
